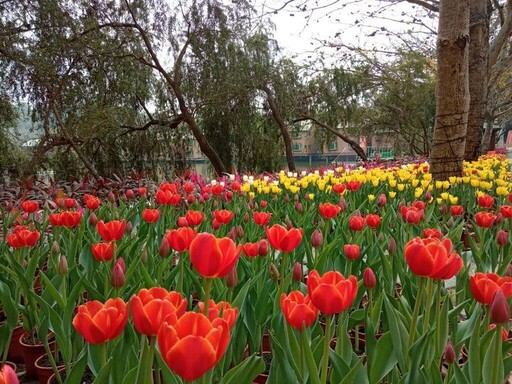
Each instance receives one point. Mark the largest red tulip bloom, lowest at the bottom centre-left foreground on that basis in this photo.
(193, 344)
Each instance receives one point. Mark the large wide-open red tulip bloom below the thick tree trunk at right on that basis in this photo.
(432, 257)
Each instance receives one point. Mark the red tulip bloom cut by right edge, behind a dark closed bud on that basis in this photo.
(485, 285)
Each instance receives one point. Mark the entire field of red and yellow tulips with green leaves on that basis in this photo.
(375, 274)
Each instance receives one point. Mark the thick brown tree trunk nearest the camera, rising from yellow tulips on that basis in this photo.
(452, 93)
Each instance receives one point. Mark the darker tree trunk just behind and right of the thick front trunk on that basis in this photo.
(478, 76)
